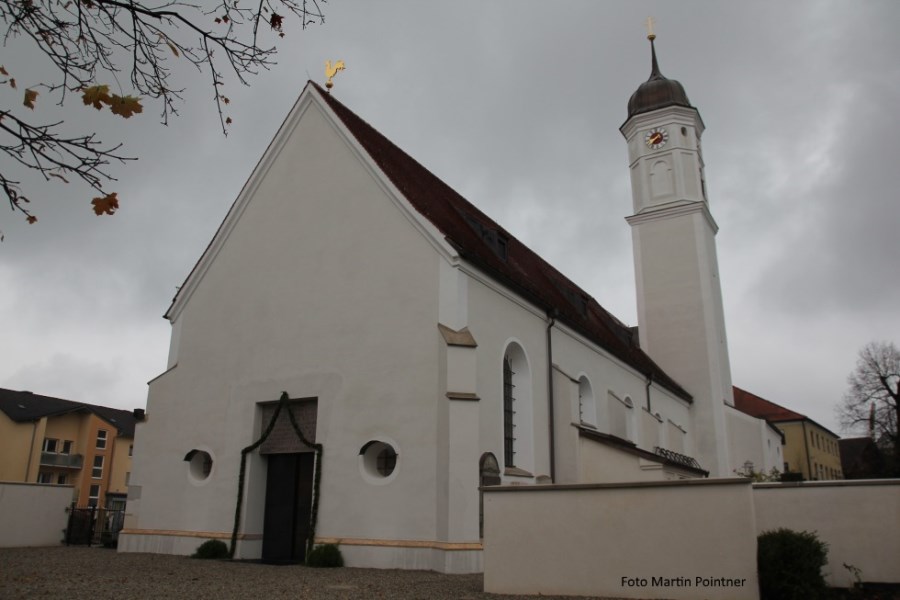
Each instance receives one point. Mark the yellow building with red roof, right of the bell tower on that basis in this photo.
(809, 448)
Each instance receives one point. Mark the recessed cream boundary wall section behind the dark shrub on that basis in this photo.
(859, 520)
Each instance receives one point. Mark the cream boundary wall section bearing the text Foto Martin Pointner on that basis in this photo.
(669, 539)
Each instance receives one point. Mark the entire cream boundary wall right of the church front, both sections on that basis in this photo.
(679, 539)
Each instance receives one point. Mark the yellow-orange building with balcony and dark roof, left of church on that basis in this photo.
(61, 442)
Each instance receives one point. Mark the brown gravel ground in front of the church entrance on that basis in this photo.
(80, 573)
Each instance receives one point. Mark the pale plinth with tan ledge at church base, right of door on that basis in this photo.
(443, 557)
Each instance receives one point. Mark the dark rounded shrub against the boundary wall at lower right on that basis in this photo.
(790, 565)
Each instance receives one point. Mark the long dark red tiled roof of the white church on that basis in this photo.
(486, 245)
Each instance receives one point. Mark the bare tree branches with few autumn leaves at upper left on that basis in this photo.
(92, 42)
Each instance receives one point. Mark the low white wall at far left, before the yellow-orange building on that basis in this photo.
(33, 514)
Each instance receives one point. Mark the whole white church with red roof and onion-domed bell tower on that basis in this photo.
(426, 352)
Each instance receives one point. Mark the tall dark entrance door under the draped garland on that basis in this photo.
(289, 484)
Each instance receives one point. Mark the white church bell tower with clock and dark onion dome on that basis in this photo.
(679, 297)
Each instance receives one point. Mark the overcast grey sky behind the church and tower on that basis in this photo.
(517, 106)
